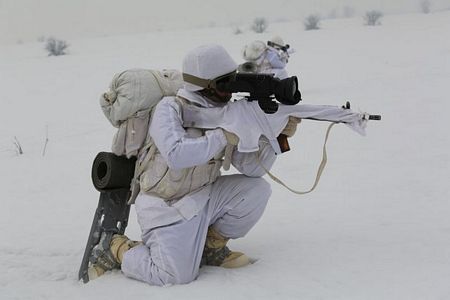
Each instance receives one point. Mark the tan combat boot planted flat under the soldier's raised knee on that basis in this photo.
(216, 253)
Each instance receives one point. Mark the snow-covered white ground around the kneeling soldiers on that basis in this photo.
(377, 227)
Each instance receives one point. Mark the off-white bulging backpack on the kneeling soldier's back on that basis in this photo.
(128, 104)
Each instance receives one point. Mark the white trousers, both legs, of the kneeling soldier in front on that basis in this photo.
(171, 254)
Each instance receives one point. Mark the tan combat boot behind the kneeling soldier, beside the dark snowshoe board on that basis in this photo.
(109, 258)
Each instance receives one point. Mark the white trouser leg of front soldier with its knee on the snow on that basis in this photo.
(171, 254)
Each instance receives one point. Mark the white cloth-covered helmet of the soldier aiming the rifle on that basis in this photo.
(207, 62)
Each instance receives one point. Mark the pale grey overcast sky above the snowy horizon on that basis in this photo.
(27, 20)
